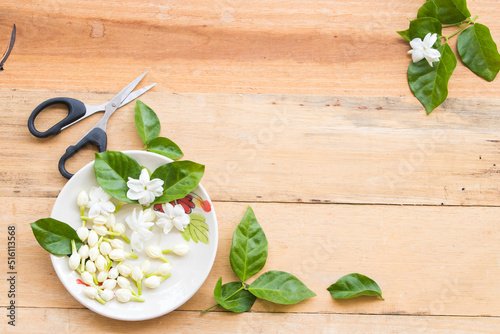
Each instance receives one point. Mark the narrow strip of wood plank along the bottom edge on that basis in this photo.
(47, 320)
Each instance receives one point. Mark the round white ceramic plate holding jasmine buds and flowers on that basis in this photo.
(188, 272)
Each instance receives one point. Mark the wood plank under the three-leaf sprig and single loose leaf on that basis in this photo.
(427, 260)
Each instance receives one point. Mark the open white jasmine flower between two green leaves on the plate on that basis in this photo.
(144, 190)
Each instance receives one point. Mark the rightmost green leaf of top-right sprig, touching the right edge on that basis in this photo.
(479, 52)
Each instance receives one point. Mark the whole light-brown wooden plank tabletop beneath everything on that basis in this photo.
(298, 108)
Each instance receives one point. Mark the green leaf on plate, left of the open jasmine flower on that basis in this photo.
(112, 170)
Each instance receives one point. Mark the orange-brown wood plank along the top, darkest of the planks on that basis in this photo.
(283, 47)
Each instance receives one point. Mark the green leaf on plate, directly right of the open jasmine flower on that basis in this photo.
(180, 178)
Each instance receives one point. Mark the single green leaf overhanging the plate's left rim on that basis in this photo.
(55, 236)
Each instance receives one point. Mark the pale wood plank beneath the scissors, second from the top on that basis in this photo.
(284, 148)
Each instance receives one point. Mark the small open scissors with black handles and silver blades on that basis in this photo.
(77, 111)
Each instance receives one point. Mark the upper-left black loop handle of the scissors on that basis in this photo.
(76, 110)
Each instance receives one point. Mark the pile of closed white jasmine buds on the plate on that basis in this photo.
(100, 261)
